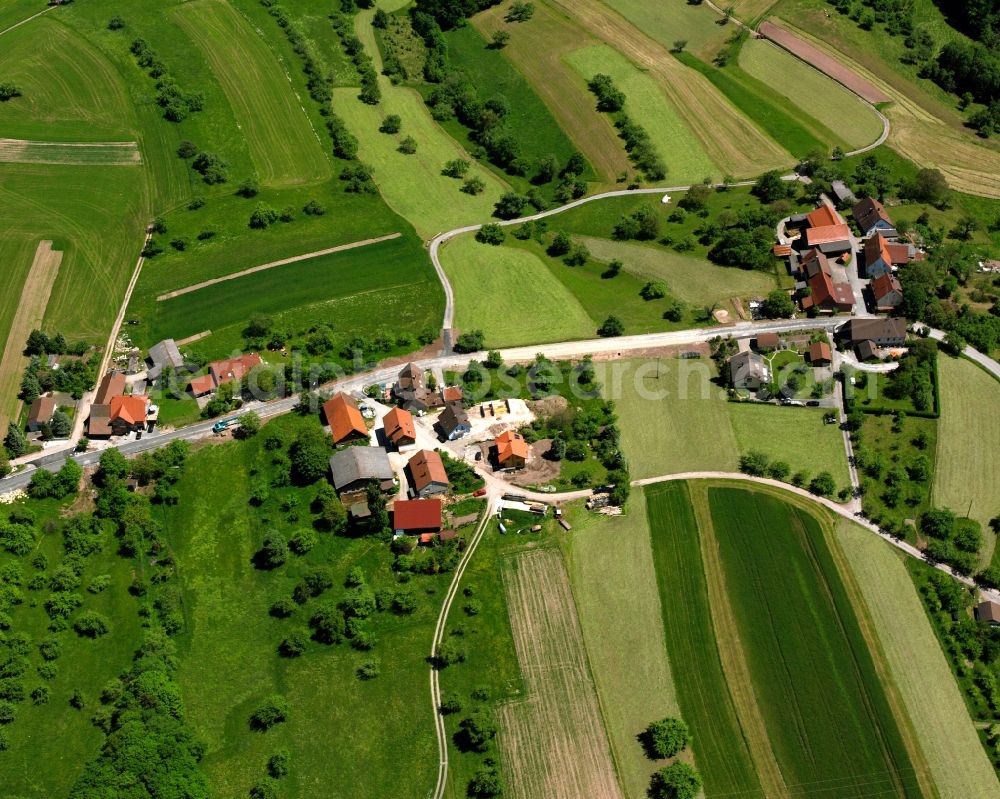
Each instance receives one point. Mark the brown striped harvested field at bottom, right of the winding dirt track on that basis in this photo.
(553, 743)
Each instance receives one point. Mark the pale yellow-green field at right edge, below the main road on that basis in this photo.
(967, 470)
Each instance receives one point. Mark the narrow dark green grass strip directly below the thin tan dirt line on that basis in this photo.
(392, 267)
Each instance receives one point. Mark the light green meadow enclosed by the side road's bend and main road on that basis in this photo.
(511, 296)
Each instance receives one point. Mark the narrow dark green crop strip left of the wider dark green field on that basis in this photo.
(719, 744)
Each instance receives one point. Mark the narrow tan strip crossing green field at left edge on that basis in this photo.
(30, 310)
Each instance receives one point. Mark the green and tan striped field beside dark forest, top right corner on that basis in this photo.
(926, 128)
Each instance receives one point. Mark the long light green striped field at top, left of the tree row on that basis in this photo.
(284, 147)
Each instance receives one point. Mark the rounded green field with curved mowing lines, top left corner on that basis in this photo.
(69, 90)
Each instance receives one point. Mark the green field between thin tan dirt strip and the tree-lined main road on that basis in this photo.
(388, 285)
